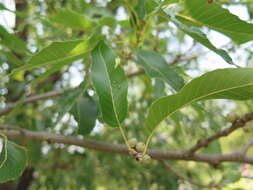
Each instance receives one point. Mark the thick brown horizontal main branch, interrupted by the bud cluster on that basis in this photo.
(119, 148)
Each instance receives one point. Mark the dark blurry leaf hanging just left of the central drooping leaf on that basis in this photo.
(85, 113)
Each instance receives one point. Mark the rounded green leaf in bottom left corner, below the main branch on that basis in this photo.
(15, 163)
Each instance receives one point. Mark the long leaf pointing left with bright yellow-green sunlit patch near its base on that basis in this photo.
(59, 52)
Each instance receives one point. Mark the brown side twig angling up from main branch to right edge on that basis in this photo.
(235, 125)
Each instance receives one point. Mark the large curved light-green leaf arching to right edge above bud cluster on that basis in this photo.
(236, 84)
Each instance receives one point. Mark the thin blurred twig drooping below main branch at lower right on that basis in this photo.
(185, 178)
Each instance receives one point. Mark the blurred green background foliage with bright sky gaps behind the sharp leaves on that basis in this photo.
(37, 23)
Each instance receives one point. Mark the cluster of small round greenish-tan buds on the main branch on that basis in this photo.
(137, 149)
